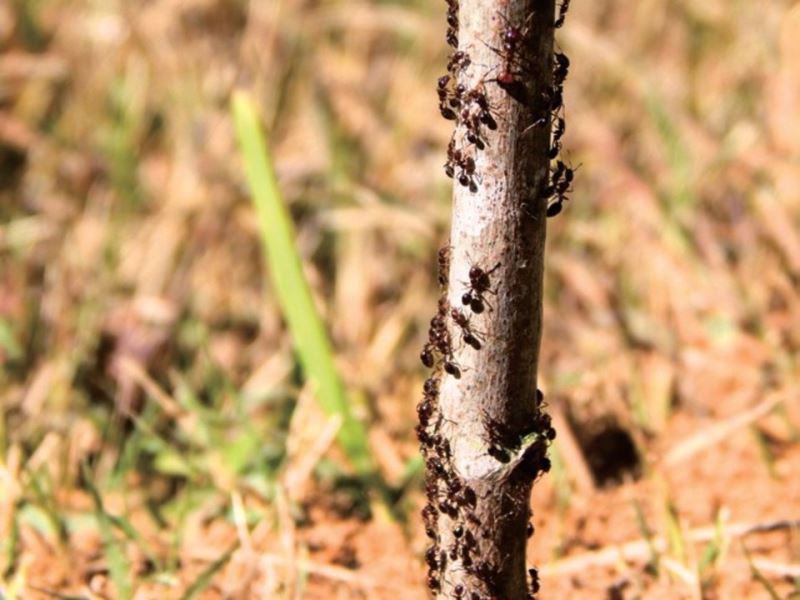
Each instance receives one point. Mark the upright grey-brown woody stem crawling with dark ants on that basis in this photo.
(482, 430)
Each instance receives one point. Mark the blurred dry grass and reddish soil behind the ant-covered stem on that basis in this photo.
(160, 433)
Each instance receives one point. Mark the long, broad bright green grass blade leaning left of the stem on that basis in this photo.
(292, 291)
